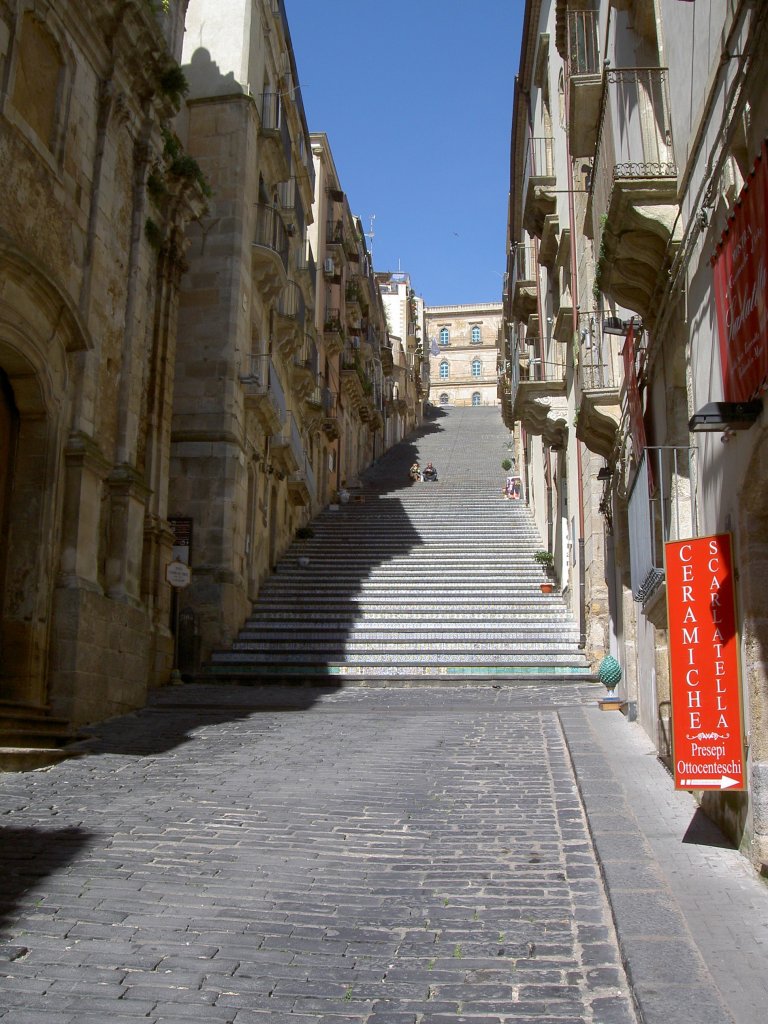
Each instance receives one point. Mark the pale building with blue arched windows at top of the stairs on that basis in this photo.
(464, 350)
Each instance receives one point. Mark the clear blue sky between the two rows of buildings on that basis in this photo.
(416, 100)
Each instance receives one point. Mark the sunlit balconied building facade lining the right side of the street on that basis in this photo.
(637, 145)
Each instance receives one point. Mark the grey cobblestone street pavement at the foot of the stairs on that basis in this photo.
(388, 857)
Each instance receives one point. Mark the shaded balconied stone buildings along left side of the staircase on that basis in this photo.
(280, 386)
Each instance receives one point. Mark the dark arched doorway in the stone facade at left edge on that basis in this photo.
(40, 504)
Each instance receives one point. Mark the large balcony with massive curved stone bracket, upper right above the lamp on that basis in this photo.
(632, 208)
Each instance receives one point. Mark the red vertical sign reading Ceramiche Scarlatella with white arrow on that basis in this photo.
(704, 665)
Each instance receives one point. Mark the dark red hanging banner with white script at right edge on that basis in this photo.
(741, 280)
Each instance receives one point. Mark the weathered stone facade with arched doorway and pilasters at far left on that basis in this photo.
(96, 201)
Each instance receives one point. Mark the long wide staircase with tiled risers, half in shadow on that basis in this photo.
(413, 582)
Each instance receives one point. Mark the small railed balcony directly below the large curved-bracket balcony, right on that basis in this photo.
(600, 376)
